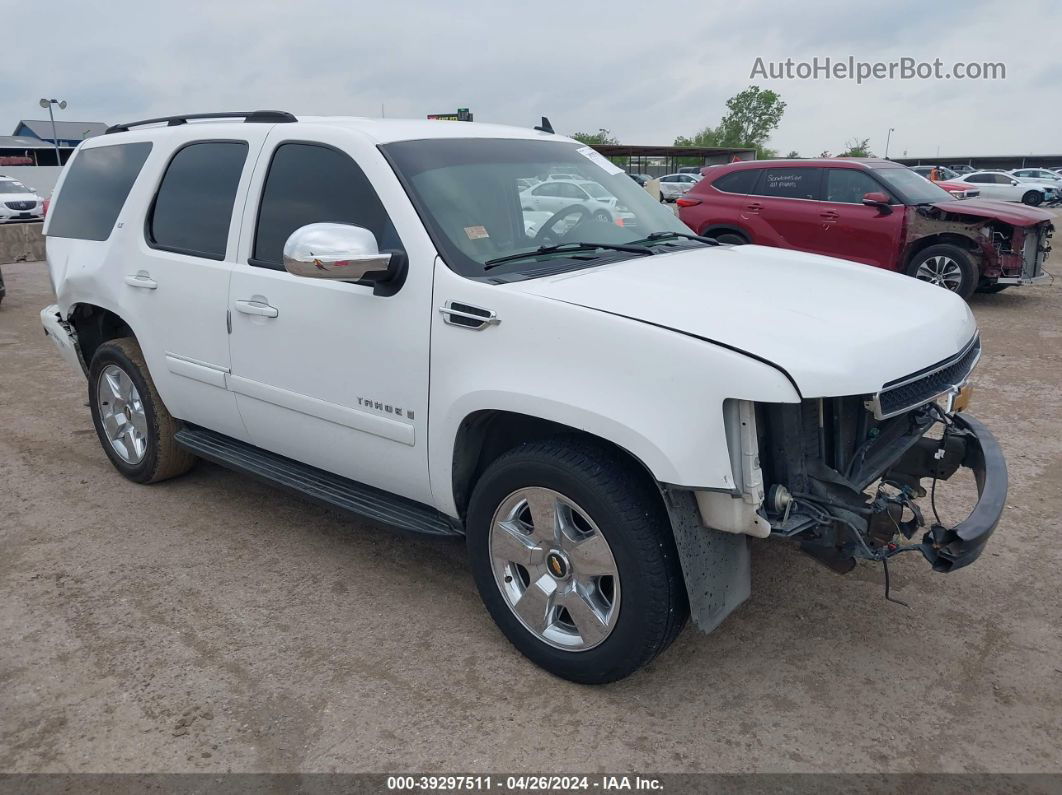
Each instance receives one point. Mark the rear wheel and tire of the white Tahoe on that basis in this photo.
(134, 427)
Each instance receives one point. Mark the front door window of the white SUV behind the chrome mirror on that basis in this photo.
(313, 184)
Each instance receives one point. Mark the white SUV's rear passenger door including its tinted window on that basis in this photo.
(177, 287)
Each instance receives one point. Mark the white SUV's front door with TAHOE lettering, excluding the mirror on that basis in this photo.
(329, 373)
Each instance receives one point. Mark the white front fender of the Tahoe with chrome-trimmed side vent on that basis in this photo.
(656, 393)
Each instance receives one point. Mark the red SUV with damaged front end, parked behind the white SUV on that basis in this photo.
(873, 212)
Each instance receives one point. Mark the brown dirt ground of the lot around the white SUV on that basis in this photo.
(212, 625)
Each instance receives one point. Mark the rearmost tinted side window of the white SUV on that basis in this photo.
(95, 189)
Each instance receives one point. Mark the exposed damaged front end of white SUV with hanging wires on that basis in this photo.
(844, 476)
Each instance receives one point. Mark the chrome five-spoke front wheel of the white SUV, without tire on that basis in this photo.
(555, 569)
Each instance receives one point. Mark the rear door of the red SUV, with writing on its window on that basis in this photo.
(784, 210)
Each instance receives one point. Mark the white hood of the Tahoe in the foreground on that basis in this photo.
(834, 327)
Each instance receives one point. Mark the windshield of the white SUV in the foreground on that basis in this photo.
(487, 199)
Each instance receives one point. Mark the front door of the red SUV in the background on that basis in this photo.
(851, 230)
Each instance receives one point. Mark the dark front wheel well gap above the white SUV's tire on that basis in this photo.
(486, 436)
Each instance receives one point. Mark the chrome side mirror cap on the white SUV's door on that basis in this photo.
(340, 252)
